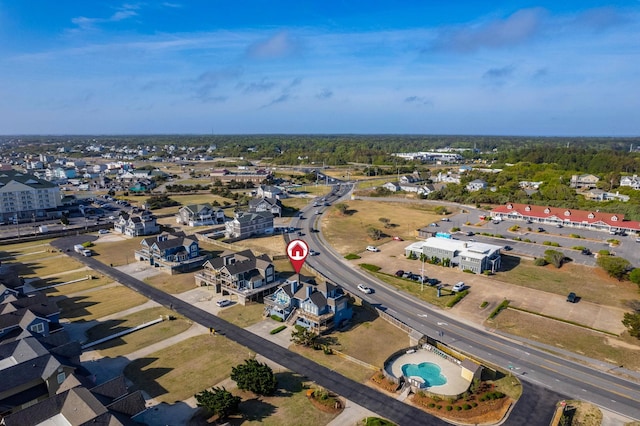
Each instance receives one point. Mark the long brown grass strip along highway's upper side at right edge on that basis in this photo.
(617, 351)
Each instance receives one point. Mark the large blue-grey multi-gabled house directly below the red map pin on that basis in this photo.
(317, 307)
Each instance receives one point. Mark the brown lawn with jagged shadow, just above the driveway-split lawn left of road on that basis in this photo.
(99, 303)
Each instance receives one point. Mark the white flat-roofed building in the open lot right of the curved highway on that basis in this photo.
(467, 255)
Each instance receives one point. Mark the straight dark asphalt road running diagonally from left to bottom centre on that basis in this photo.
(396, 411)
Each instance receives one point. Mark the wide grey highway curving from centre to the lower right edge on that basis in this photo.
(530, 364)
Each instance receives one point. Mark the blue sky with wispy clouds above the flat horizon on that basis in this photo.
(344, 66)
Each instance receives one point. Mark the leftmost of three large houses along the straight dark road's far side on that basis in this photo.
(171, 252)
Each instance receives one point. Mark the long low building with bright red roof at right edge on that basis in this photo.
(566, 217)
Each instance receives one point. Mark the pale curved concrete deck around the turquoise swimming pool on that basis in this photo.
(455, 383)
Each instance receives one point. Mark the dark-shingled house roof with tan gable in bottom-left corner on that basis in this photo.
(78, 401)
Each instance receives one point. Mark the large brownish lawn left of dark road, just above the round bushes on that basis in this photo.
(180, 371)
